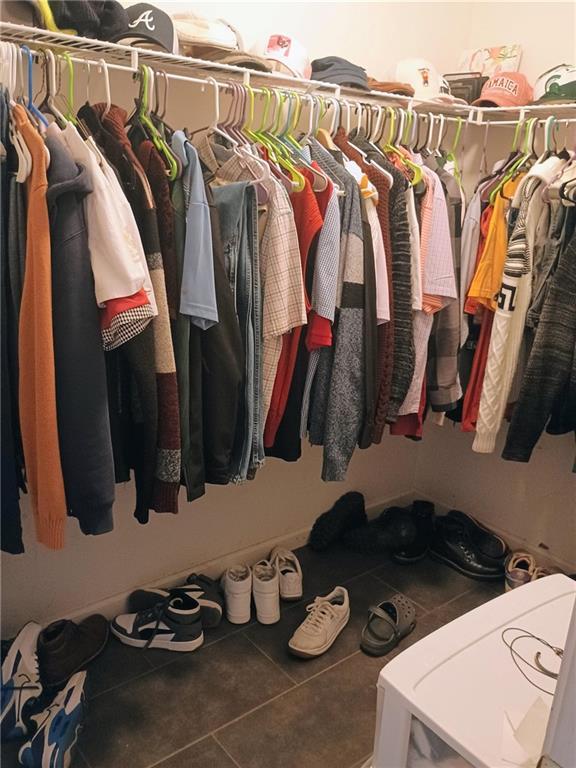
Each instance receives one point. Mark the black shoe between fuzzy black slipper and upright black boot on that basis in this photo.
(381, 536)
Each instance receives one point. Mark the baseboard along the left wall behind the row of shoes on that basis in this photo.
(116, 604)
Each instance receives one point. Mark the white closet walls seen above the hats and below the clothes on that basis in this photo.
(536, 502)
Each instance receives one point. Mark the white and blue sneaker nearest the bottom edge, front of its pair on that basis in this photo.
(58, 727)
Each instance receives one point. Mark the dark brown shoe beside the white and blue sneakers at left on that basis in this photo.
(65, 647)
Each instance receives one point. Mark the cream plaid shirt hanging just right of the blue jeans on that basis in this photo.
(283, 305)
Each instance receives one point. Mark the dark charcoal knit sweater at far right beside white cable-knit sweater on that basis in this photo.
(551, 368)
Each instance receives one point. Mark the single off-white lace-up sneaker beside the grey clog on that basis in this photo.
(327, 617)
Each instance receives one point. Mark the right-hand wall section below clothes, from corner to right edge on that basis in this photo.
(534, 503)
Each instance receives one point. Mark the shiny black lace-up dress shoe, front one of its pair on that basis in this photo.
(452, 545)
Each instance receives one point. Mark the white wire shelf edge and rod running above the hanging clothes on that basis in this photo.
(128, 58)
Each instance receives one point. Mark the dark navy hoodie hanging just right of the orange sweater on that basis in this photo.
(81, 396)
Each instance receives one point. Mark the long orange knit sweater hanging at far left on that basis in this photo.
(37, 385)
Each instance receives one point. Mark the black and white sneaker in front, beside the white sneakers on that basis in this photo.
(174, 624)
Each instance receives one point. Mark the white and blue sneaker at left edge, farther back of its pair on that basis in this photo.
(21, 684)
